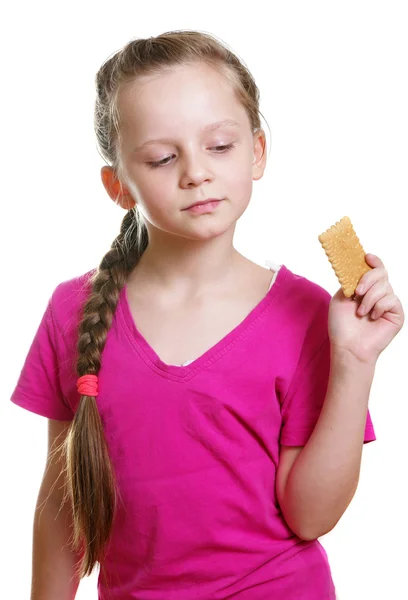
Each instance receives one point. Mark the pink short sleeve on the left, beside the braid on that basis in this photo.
(38, 388)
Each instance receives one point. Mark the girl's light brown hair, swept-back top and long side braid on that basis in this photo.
(91, 482)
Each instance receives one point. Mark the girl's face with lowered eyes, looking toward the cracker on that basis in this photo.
(172, 153)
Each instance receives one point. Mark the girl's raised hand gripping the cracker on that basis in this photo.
(364, 336)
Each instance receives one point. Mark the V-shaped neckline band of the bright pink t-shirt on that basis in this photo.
(180, 372)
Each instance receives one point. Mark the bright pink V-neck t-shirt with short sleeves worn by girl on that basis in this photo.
(196, 447)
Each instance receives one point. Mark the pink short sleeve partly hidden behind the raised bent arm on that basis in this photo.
(305, 397)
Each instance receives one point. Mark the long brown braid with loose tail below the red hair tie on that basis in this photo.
(91, 480)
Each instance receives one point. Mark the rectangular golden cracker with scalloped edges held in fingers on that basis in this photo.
(346, 254)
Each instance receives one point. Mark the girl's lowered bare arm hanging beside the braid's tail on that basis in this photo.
(53, 563)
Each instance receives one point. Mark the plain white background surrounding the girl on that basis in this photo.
(333, 82)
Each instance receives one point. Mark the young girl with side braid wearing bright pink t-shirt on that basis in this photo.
(210, 413)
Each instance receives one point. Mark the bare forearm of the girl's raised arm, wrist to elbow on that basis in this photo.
(325, 474)
